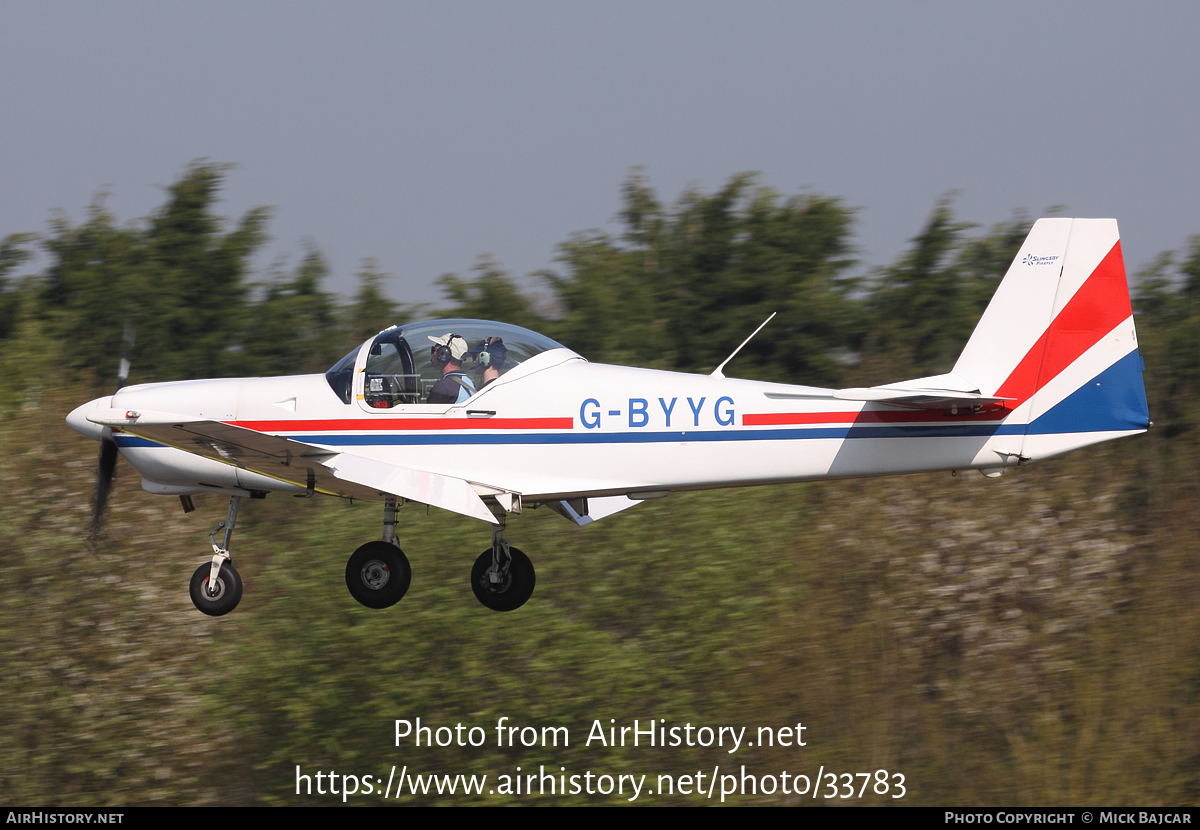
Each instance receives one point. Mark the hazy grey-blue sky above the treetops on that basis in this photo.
(425, 135)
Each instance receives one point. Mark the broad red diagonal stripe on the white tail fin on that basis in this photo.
(1099, 306)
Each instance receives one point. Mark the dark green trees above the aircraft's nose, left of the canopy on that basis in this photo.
(183, 281)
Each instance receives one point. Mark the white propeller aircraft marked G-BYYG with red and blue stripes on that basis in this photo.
(523, 422)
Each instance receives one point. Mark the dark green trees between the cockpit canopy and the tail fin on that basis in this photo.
(683, 285)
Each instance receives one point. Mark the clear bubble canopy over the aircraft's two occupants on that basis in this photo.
(399, 368)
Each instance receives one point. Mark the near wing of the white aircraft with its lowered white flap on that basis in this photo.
(320, 470)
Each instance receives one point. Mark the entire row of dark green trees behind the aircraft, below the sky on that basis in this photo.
(680, 287)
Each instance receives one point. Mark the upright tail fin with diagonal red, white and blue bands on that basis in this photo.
(1059, 339)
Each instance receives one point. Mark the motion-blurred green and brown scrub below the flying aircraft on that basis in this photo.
(1031, 641)
